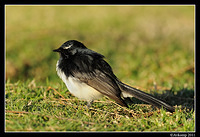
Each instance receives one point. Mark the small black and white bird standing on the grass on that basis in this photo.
(89, 77)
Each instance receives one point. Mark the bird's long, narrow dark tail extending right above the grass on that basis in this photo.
(128, 91)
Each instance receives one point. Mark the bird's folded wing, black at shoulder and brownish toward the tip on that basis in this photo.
(95, 72)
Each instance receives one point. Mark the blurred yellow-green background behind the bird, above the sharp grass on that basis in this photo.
(145, 45)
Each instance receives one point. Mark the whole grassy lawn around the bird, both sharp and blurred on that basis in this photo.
(149, 47)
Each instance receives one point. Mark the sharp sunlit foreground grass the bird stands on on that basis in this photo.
(39, 108)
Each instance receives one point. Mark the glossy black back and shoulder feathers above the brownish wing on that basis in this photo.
(85, 61)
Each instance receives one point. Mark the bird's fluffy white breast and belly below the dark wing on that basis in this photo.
(78, 88)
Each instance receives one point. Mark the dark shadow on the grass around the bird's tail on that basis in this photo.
(183, 97)
